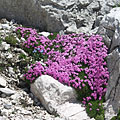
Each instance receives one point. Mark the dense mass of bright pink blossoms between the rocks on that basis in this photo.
(68, 56)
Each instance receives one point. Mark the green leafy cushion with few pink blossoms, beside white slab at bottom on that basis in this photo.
(96, 110)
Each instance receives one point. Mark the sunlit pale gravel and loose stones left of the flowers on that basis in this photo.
(16, 100)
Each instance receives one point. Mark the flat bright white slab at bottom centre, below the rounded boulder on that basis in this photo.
(72, 111)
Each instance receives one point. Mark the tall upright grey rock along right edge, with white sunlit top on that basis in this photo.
(110, 30)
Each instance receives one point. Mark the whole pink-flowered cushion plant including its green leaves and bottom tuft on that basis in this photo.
(84, 77)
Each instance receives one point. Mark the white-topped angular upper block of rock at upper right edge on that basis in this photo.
(109, 29)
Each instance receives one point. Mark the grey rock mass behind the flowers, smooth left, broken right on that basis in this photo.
(56, 15)
